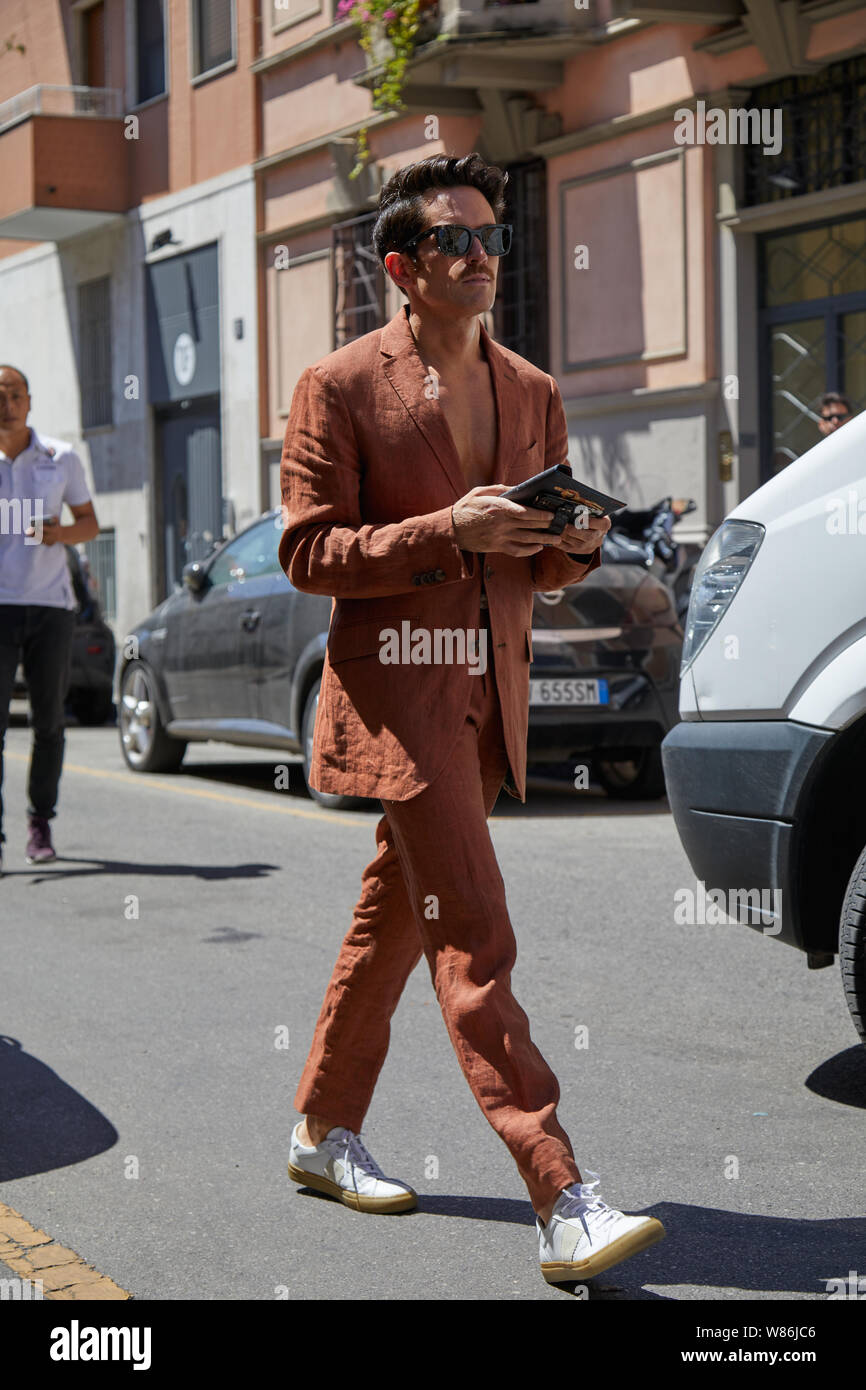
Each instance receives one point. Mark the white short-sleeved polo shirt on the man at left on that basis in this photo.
(51, 473)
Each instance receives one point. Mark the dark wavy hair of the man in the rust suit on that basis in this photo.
(402, 212)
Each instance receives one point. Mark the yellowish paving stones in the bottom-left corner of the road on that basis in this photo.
(54, 1270)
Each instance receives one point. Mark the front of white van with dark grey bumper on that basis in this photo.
(767, 772)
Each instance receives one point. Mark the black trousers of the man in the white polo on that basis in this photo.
(41, 639)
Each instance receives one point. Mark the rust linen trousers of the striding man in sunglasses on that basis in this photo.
(439, 844)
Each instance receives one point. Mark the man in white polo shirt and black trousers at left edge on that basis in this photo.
(37, 601)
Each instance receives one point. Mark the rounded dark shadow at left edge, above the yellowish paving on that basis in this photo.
(47, 1124)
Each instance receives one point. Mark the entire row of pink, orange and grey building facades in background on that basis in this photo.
(180, 234)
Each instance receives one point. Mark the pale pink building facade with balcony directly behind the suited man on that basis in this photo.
(689, 204)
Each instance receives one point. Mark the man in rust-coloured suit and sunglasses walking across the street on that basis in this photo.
(397, 455)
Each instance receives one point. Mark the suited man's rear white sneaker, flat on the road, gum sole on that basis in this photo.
(341, 1167)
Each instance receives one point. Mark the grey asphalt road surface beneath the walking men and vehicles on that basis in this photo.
(148, 972)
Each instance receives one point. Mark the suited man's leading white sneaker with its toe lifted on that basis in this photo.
(586, 1236)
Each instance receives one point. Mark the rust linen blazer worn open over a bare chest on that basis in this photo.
(369, 476)
